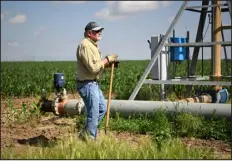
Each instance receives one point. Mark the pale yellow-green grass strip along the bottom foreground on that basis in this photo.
(108, 147)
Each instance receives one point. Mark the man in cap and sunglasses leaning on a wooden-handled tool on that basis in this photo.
(89, 69)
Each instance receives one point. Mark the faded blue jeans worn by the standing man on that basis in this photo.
(95, 105)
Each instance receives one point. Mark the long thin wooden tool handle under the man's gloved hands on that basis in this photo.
(109, 98)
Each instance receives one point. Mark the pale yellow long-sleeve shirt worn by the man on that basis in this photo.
(89, 60)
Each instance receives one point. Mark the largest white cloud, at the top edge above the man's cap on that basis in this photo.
(120, 9)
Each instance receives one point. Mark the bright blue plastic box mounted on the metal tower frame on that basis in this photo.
(178, 53)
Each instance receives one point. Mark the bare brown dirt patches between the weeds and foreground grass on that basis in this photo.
(50, 128)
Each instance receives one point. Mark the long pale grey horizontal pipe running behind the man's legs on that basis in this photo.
(127, 107)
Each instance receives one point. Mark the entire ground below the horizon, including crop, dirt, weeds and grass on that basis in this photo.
(28, 134)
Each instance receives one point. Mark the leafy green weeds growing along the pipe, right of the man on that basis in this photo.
(162, 126)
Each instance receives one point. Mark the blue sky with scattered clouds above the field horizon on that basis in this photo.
(52, 30)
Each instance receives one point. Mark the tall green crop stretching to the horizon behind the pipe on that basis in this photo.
(23, 79)
